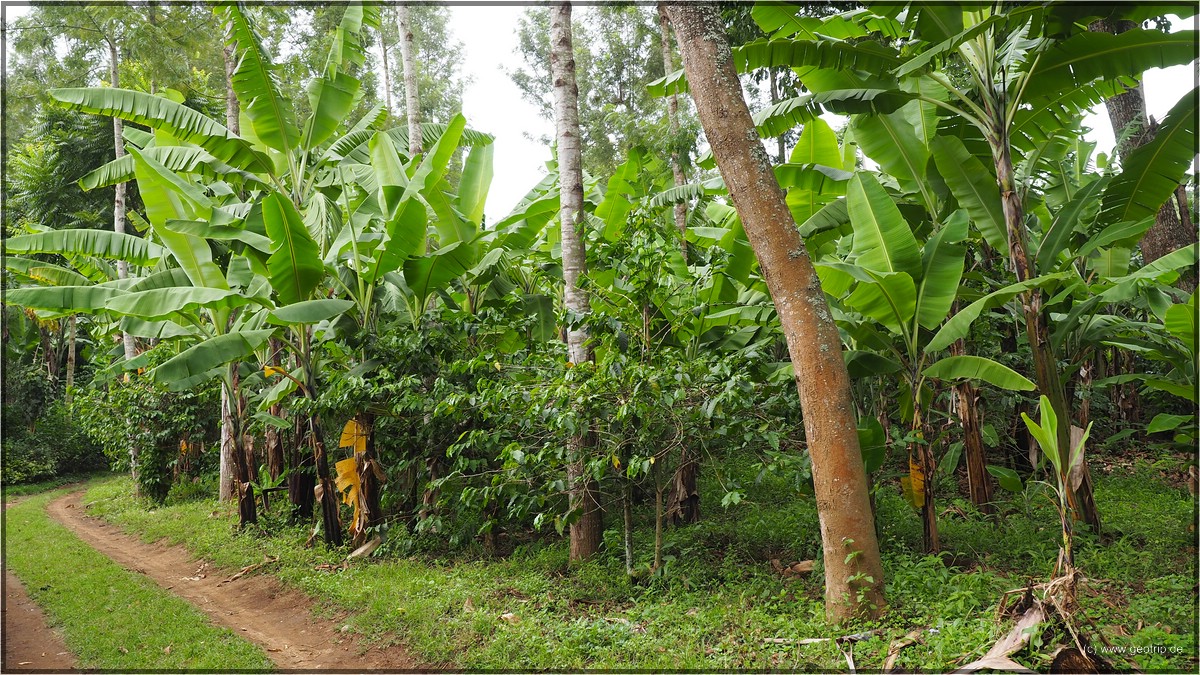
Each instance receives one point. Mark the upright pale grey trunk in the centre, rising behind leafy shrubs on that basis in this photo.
(587, 530)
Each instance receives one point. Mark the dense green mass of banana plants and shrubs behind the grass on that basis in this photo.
(392, 355)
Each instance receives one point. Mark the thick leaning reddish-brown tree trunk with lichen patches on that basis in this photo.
(854, 571)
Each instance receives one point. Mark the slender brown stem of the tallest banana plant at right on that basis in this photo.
(1046, 362)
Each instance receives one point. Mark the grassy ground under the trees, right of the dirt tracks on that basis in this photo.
(721, 601)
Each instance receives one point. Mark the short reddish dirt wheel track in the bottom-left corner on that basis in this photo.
(29, 643)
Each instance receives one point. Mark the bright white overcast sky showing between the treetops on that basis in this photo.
(494, 104)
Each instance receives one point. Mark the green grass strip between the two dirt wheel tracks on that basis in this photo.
(110, 618)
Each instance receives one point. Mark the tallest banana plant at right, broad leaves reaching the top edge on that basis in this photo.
(1029, 71)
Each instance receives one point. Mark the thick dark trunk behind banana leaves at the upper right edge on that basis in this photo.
(1173, 229)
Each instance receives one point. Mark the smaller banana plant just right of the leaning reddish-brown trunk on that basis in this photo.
(895, 292)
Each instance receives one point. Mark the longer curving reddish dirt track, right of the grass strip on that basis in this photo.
(260, 608)
